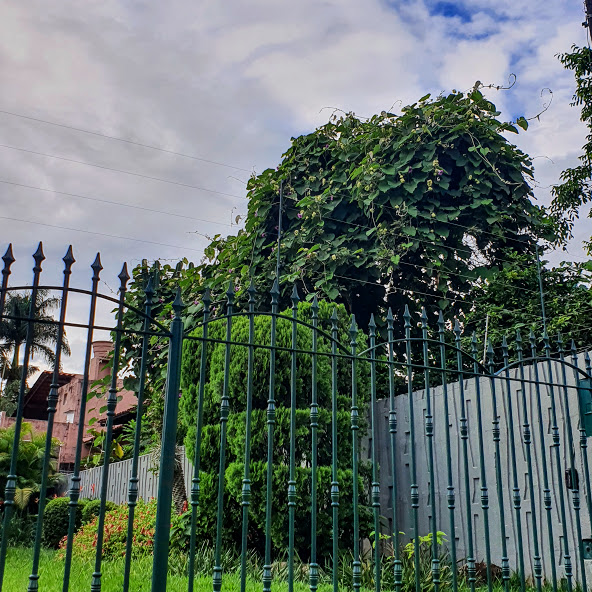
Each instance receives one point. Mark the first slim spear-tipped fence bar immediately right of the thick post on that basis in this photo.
(206, 300)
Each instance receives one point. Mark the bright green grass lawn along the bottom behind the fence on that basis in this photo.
(51, 571)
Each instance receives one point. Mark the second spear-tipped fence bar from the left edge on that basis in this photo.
(10, 489)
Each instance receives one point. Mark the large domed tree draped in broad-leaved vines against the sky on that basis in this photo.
(393, 210)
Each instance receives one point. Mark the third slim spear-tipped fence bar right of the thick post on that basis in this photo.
(246, 484)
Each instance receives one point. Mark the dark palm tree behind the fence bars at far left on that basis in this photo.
(13, 333)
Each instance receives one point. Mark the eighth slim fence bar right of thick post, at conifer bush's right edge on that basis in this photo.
(356, 565)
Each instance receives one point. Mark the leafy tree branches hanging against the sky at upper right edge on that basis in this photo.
(575, 189)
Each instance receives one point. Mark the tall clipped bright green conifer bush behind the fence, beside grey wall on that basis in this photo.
(236, 429)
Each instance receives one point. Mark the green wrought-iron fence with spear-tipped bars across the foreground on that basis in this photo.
(473, 469)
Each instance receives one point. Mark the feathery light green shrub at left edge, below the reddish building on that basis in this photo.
(30, 457)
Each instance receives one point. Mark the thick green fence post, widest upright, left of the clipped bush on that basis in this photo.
(167, 453)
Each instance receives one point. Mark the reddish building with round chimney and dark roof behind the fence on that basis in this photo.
(67, 416)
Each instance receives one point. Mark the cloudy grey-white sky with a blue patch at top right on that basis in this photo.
(227, 84)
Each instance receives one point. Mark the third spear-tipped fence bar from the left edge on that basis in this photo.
(52, 400)
